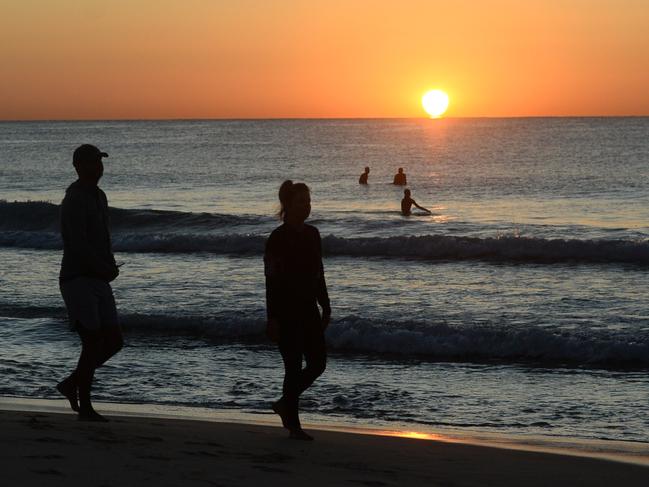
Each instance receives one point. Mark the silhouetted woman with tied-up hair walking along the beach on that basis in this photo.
(295, 284)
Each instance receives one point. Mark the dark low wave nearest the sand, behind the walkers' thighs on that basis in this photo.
(437, 341)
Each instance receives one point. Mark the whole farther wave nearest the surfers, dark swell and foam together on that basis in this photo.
(34, 225)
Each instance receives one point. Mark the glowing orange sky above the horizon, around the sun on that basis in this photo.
(87, 59)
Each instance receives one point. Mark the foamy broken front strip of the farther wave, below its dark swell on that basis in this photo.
(431, 247)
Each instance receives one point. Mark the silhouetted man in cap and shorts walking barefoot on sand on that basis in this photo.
(87, 268)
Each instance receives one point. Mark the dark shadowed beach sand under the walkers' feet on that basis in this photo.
(51, 449)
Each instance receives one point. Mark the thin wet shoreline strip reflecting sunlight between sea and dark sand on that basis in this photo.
(627, 452)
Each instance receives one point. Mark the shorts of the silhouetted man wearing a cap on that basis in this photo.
(90, 303)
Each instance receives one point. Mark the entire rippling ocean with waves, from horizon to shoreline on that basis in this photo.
(518, 307)
